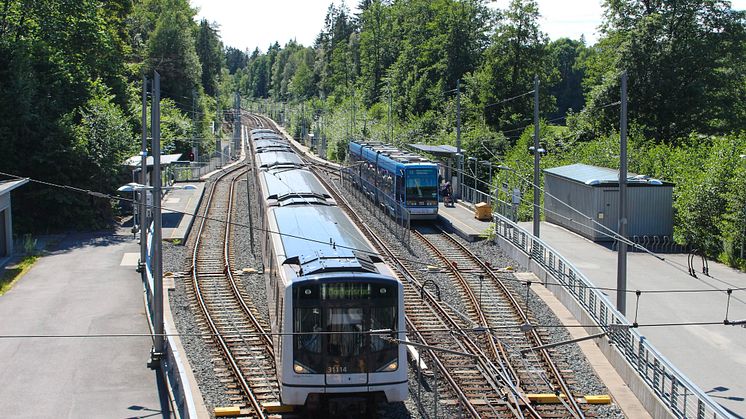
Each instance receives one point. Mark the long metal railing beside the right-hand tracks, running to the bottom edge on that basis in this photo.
(680, 396)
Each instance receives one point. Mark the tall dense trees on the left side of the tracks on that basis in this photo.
(70, 96)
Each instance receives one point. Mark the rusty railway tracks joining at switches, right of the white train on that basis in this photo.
(478, 359)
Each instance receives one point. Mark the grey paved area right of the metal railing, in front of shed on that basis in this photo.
(710, 355)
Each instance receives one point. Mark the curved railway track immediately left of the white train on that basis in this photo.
(237, 331)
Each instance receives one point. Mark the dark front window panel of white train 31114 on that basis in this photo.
(331, 320)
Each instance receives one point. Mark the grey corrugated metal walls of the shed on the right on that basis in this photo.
(650, 208)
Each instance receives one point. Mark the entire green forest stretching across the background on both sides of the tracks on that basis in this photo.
(389, 70)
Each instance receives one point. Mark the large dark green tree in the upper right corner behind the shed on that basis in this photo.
(685, 61)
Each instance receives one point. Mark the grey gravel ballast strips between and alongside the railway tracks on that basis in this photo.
(177, 259)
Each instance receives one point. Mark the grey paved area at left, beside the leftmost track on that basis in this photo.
(88, 286)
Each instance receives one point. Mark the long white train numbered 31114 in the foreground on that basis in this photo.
(326, 291)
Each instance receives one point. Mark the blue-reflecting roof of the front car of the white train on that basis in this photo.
(329, 244)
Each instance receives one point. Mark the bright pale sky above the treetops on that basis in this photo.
(246, 24)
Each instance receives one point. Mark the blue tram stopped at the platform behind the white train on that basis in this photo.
(410, 179)
